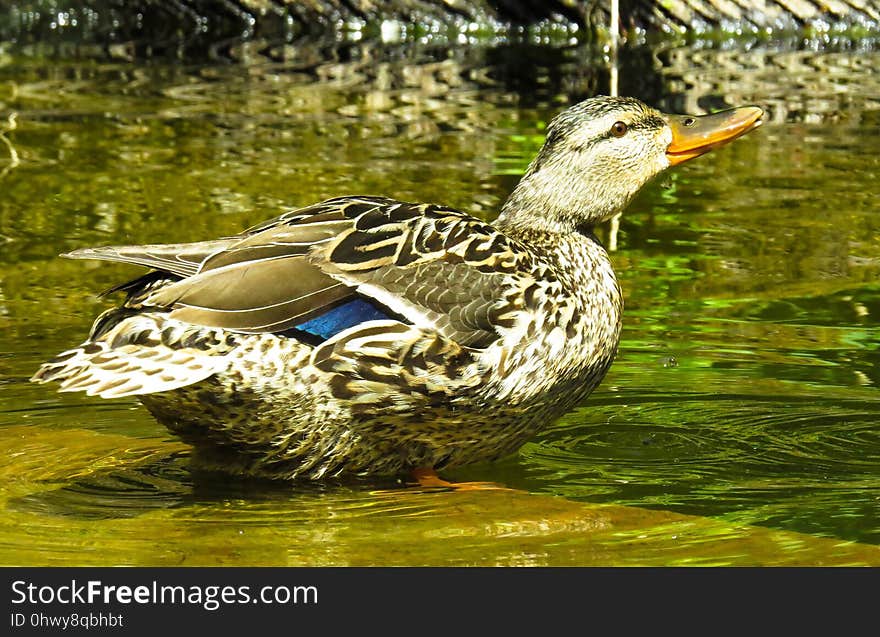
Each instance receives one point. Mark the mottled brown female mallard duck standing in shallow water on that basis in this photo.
(364, 335)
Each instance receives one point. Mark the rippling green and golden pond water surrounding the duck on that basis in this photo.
(739, 424)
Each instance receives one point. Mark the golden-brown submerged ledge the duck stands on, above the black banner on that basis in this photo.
(121, 500)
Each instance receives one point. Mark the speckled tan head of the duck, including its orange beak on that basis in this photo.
(599, 153)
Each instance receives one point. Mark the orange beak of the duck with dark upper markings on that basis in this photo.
(694, 135)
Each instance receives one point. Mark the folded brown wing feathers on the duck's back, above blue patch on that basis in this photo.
(430, 266)
